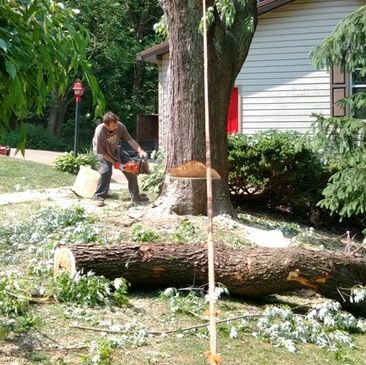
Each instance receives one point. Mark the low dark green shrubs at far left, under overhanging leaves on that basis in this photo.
(37, 138)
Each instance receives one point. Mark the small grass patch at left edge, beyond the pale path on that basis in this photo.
(18, 175)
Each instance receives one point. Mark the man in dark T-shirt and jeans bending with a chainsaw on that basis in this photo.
(106, 146)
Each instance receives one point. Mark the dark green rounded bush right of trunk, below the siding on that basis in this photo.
(276, 169)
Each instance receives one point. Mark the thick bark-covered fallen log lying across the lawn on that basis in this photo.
(250, 273)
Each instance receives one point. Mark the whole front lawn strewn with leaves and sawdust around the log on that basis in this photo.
(55, 332)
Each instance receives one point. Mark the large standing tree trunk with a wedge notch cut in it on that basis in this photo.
(185, 139)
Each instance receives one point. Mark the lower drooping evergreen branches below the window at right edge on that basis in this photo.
(343, 142)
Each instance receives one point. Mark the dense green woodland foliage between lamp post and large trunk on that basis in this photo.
(121, 29)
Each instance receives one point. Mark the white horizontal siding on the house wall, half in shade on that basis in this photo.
(279, 87)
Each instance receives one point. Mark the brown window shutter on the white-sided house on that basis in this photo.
(339, 88)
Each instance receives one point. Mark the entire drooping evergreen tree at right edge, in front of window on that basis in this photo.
(344, 139)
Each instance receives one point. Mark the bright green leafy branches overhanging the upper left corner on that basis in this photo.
(40, 45)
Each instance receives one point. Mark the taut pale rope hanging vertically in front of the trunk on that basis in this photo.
(210, 243)
